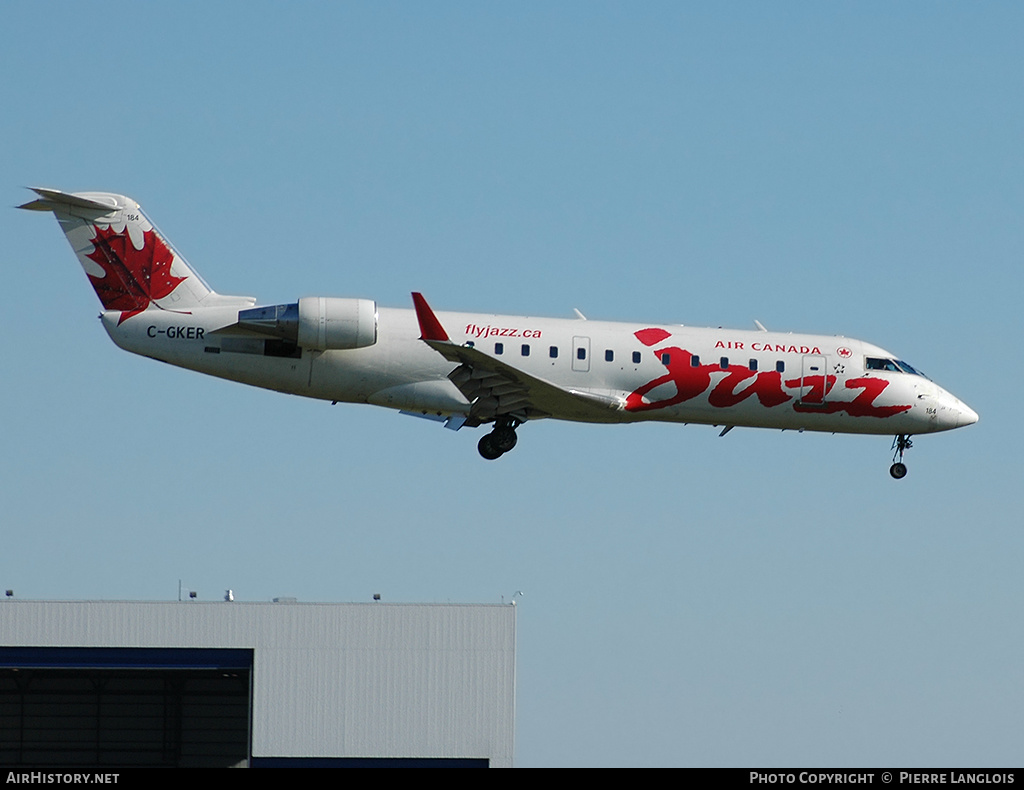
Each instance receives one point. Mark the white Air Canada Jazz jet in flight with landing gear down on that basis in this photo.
(468, 370)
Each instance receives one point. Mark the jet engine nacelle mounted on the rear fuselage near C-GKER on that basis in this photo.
(317, 322)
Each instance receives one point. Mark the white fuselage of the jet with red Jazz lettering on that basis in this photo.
(665, 373)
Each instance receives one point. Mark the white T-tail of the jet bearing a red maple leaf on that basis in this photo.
(131, 264)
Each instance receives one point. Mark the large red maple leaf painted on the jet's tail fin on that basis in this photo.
(133, 279)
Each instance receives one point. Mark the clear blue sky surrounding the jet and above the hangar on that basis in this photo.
(764, 599)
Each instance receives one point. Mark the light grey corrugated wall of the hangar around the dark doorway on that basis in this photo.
(329, 680)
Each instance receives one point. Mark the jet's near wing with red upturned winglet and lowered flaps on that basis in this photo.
(497, 390)
